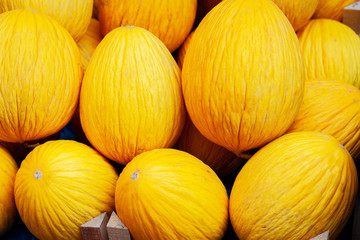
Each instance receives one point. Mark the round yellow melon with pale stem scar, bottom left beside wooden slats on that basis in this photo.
(76, 184)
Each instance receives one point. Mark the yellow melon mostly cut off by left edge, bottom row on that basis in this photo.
(8, 169)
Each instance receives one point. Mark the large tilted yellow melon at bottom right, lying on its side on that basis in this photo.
(296, 187)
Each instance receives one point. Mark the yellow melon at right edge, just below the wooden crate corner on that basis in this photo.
(331, 50)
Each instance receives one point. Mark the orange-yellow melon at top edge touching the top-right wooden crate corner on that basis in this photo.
(331, 9)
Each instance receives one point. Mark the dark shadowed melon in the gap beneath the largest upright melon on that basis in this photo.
(221, 160)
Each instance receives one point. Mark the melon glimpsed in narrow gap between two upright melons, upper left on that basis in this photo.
(89, 42)
